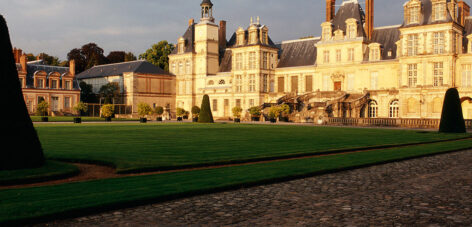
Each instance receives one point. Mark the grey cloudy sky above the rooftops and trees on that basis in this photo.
(57, 26)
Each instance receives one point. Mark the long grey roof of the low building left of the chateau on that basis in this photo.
(140, 66)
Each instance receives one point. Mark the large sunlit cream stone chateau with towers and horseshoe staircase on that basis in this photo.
(354, 70)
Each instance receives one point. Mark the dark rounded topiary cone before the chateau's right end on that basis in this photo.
(452, 120)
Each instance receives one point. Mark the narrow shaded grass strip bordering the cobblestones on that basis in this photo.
(84, 197)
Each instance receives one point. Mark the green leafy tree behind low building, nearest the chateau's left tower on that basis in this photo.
(158, 54)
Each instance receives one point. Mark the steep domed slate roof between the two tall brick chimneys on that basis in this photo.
(349, 10)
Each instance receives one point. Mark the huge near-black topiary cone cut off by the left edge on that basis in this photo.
(20, 144)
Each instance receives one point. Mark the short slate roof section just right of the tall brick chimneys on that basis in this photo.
(387, 37)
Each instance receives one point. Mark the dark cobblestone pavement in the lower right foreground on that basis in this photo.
(431, 191)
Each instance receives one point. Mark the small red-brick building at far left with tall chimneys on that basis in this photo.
(53, 84)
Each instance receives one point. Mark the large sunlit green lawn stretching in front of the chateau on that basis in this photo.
(134, 147)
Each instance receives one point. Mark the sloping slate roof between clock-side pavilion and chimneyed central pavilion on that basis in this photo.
(298, 53)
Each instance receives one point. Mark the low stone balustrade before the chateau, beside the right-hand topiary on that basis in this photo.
(390, 122)
